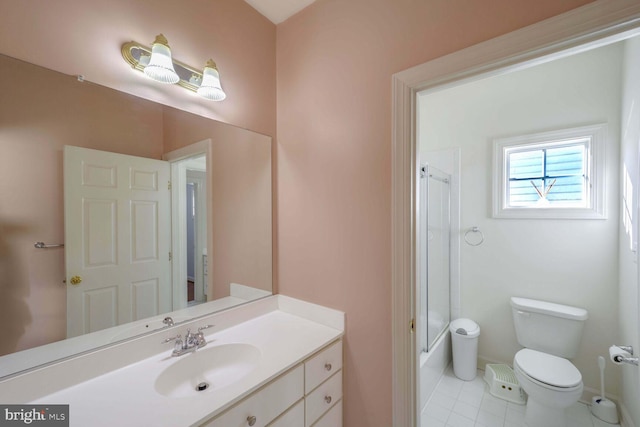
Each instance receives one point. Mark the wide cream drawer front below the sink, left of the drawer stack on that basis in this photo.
(263, 406)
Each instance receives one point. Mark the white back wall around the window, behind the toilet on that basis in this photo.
(566, 261)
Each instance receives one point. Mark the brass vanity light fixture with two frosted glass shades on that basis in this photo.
(157, 63)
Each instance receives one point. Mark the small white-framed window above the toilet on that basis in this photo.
(550, 175)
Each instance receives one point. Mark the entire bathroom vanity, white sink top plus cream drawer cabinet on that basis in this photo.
(295, 381)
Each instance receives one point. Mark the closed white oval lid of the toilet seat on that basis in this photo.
(548, 369)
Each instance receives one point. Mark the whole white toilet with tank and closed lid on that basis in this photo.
(551, 334)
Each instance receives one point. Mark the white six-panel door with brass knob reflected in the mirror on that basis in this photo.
(117, 238)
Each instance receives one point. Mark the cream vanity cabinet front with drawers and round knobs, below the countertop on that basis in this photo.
(308, 395)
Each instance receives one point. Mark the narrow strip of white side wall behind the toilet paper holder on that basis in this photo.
(628, 229)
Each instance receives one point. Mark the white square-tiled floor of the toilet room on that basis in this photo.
(457, 403)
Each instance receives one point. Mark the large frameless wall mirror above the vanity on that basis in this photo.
(226, 175)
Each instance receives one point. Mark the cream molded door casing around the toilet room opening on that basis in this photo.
(594, 24)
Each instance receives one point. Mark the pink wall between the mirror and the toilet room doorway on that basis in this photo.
(335, 60)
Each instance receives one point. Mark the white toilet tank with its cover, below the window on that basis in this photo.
(548, 327)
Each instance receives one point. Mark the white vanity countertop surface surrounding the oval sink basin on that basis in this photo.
(127, 397)
